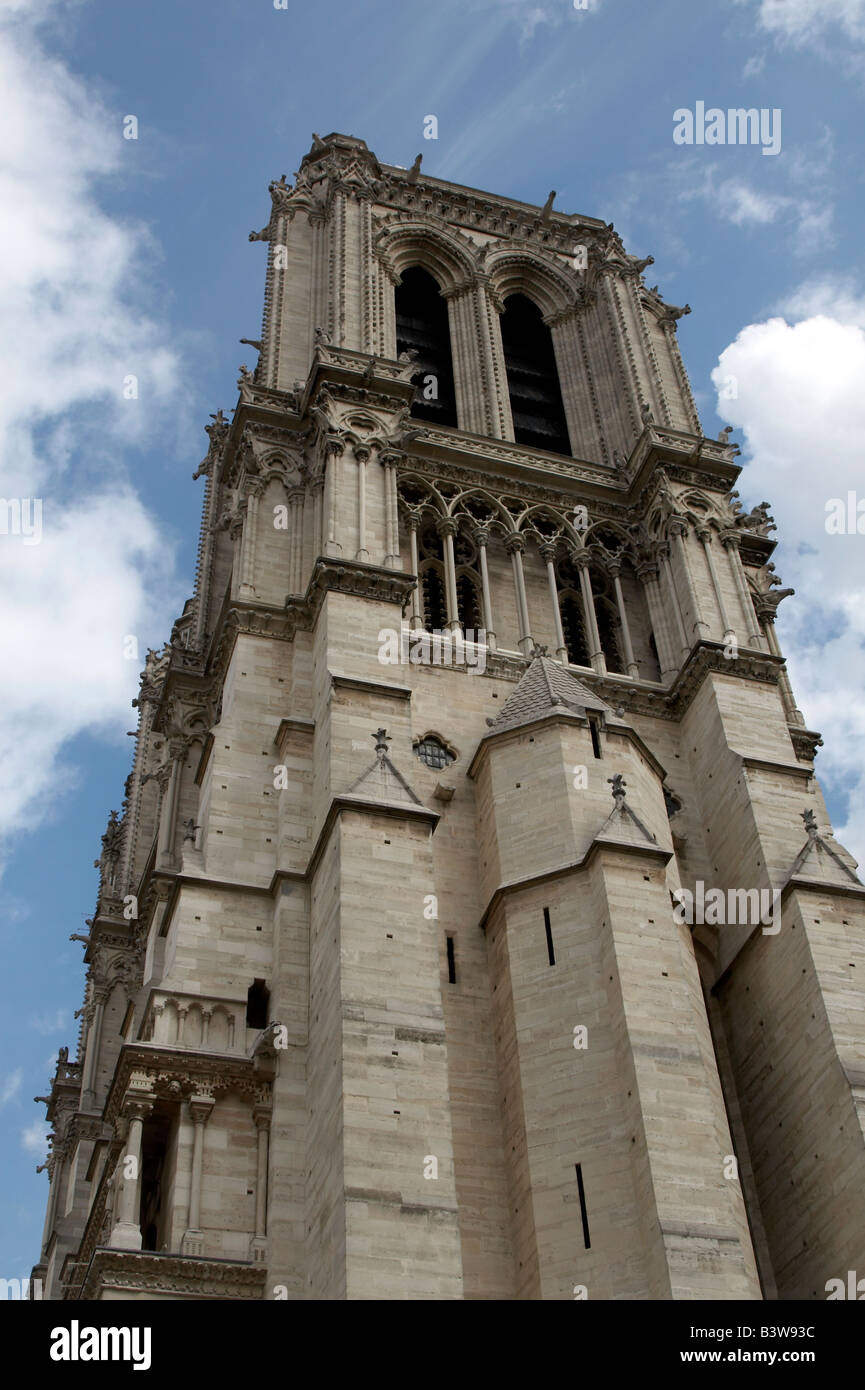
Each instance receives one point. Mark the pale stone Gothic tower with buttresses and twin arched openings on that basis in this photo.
(474, 926)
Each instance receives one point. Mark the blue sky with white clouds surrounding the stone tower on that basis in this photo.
(131, 258)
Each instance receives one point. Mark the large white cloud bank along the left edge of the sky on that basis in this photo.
(86, 372)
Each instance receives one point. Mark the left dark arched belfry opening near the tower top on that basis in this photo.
(423, 327)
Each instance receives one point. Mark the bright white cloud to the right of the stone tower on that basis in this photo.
(802, 409)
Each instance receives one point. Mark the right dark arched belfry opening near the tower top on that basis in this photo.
(533, 380)
